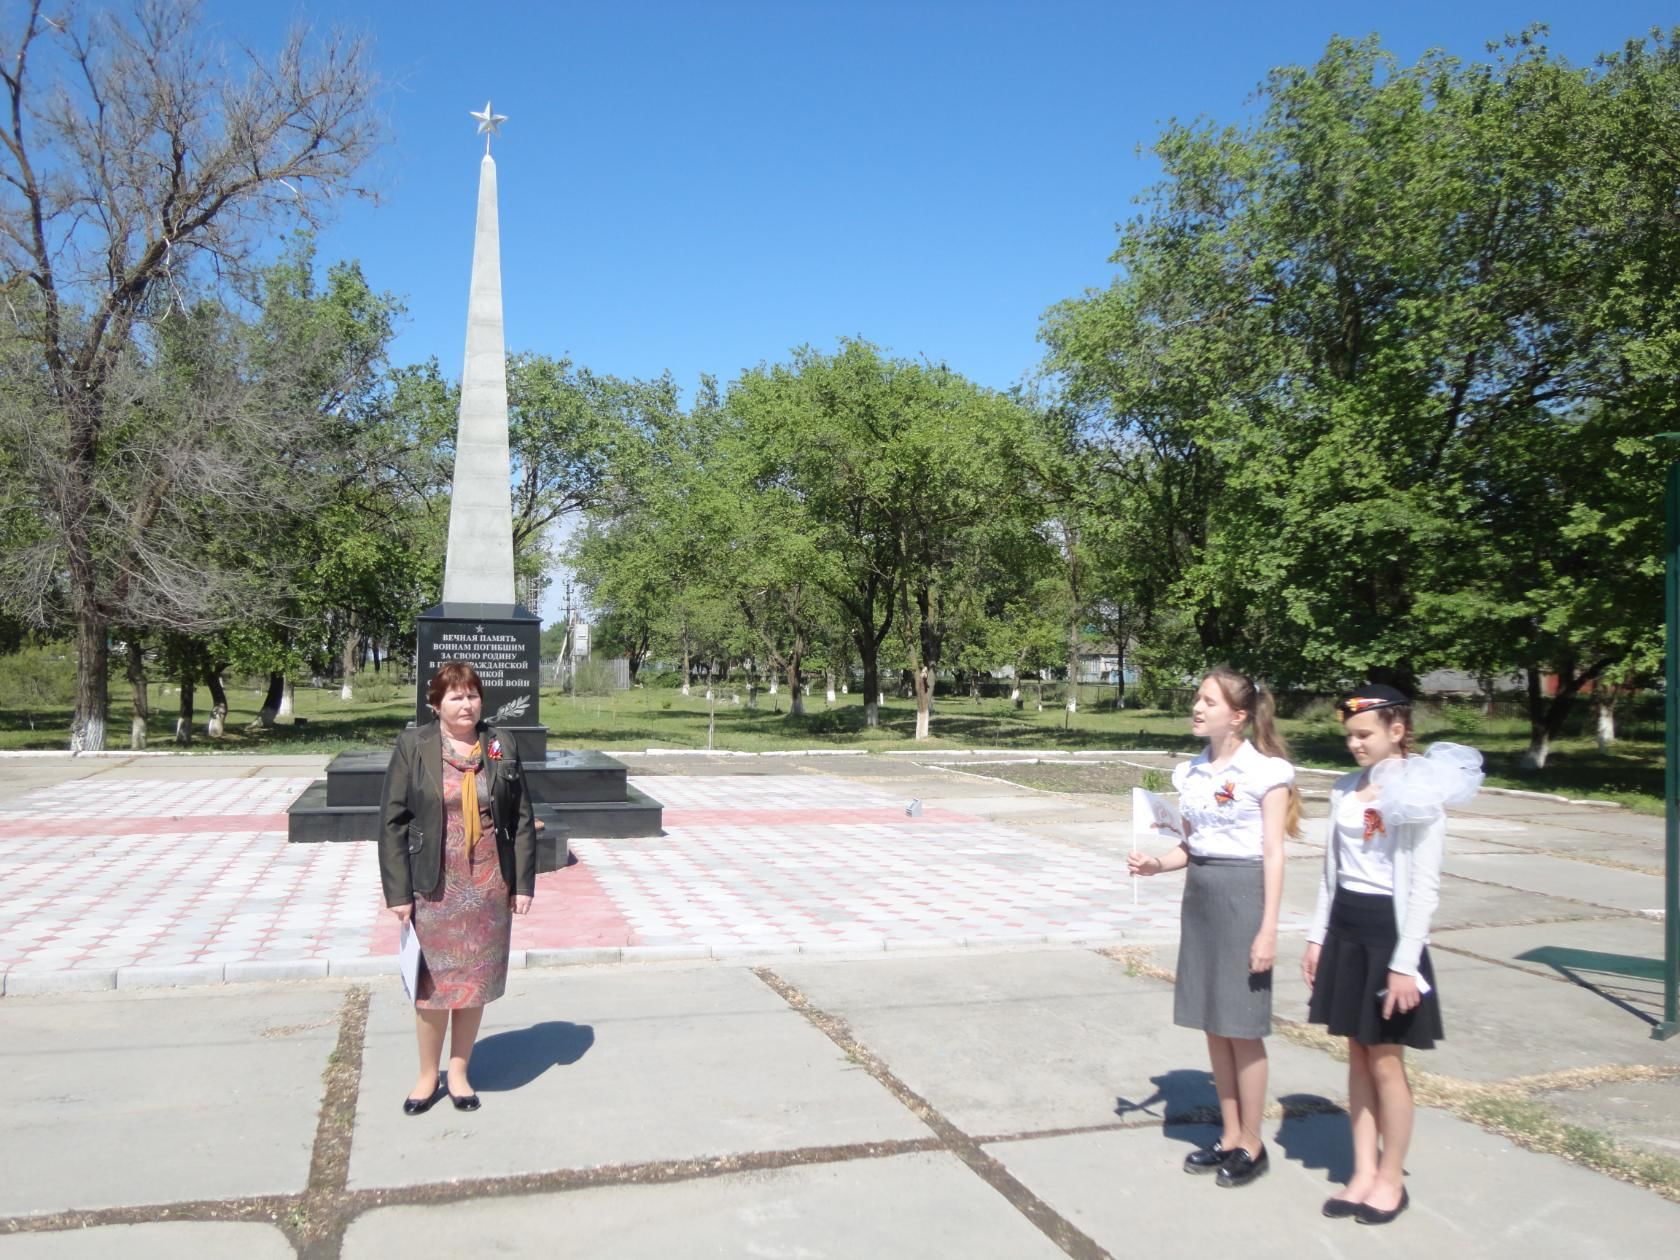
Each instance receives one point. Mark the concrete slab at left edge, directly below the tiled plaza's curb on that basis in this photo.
(164, 1093)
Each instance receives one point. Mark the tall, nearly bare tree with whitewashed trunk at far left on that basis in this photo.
(132, 165)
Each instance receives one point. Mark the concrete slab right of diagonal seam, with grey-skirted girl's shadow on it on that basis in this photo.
(1034, 1041)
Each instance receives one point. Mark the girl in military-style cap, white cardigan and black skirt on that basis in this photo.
(1367, 960)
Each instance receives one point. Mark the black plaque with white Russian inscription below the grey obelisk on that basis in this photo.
(503, 643)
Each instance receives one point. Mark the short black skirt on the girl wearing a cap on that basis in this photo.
(1353, 970)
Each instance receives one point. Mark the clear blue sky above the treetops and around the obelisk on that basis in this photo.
(701, 187)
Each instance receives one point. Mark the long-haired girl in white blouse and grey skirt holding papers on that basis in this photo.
(1239, 802)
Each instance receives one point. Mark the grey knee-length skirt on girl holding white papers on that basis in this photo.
(1222, 911)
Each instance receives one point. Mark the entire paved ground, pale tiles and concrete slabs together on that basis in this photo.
(821, 1098)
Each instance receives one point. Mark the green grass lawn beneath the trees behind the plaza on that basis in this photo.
(658, 718)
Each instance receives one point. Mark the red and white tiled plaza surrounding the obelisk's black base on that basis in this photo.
(177, 879)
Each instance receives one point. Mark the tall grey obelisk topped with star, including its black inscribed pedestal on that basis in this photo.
(480, 619)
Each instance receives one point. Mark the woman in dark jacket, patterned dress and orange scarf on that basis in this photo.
(458, 858)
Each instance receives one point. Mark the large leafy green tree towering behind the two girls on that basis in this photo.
(1370, 354)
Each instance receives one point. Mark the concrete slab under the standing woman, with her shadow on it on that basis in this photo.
(611, 1066)
